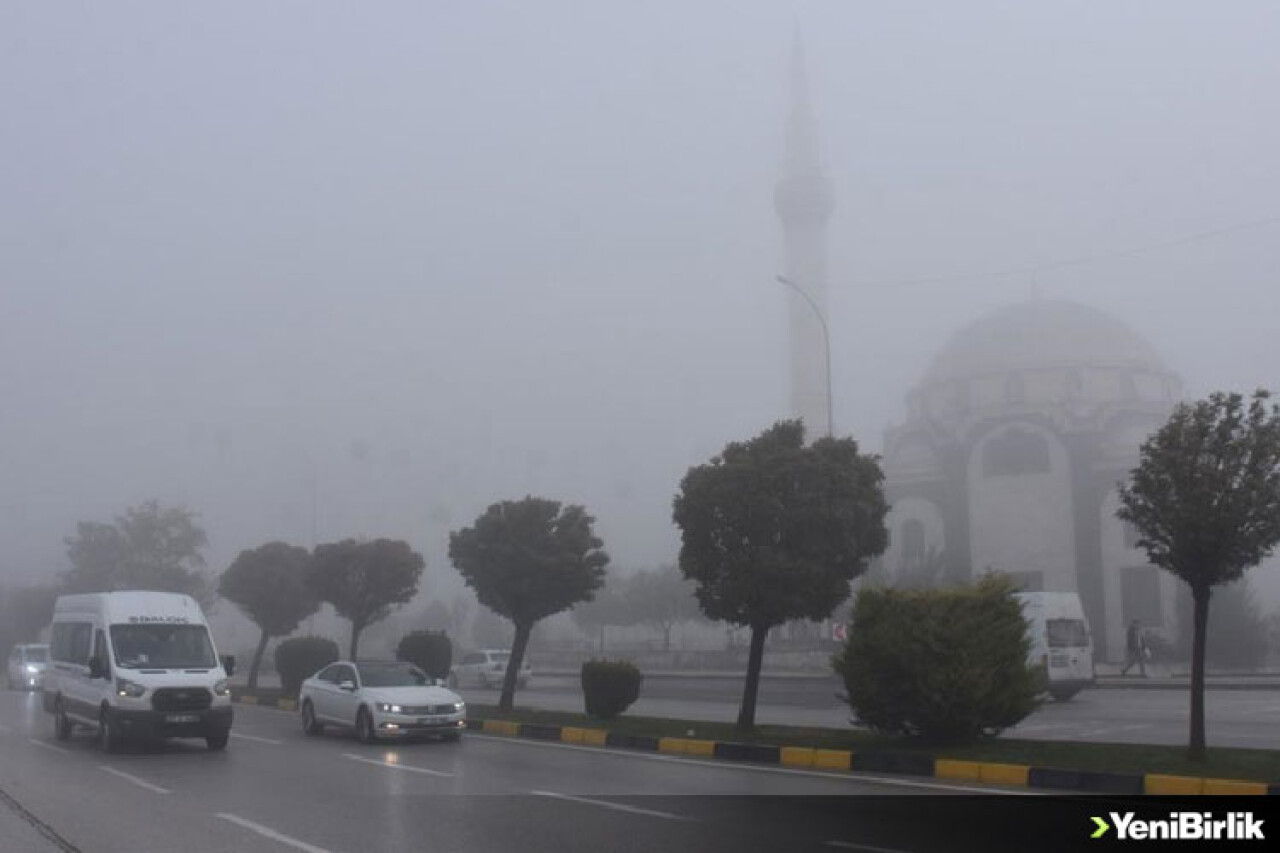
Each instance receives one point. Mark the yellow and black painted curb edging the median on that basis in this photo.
(907, 764)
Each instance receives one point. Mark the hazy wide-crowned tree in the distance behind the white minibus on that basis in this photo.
(149, 548)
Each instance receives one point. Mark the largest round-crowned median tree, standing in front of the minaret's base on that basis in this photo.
(774, 530)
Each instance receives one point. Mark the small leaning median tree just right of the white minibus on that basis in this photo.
(269, 585)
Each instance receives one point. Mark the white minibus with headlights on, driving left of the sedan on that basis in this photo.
(136, 665)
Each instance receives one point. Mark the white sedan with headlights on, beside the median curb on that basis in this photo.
(381, 700)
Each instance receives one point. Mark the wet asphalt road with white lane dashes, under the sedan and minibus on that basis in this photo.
(277, 790)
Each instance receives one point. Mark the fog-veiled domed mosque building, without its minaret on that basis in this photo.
(1014, 444)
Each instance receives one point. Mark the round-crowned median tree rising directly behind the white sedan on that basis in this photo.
(364, 581)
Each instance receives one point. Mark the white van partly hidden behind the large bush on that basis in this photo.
(1060, 641)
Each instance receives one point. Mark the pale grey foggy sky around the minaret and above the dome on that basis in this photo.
(395, 262)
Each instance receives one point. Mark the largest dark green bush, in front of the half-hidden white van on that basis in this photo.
(947, 665)
